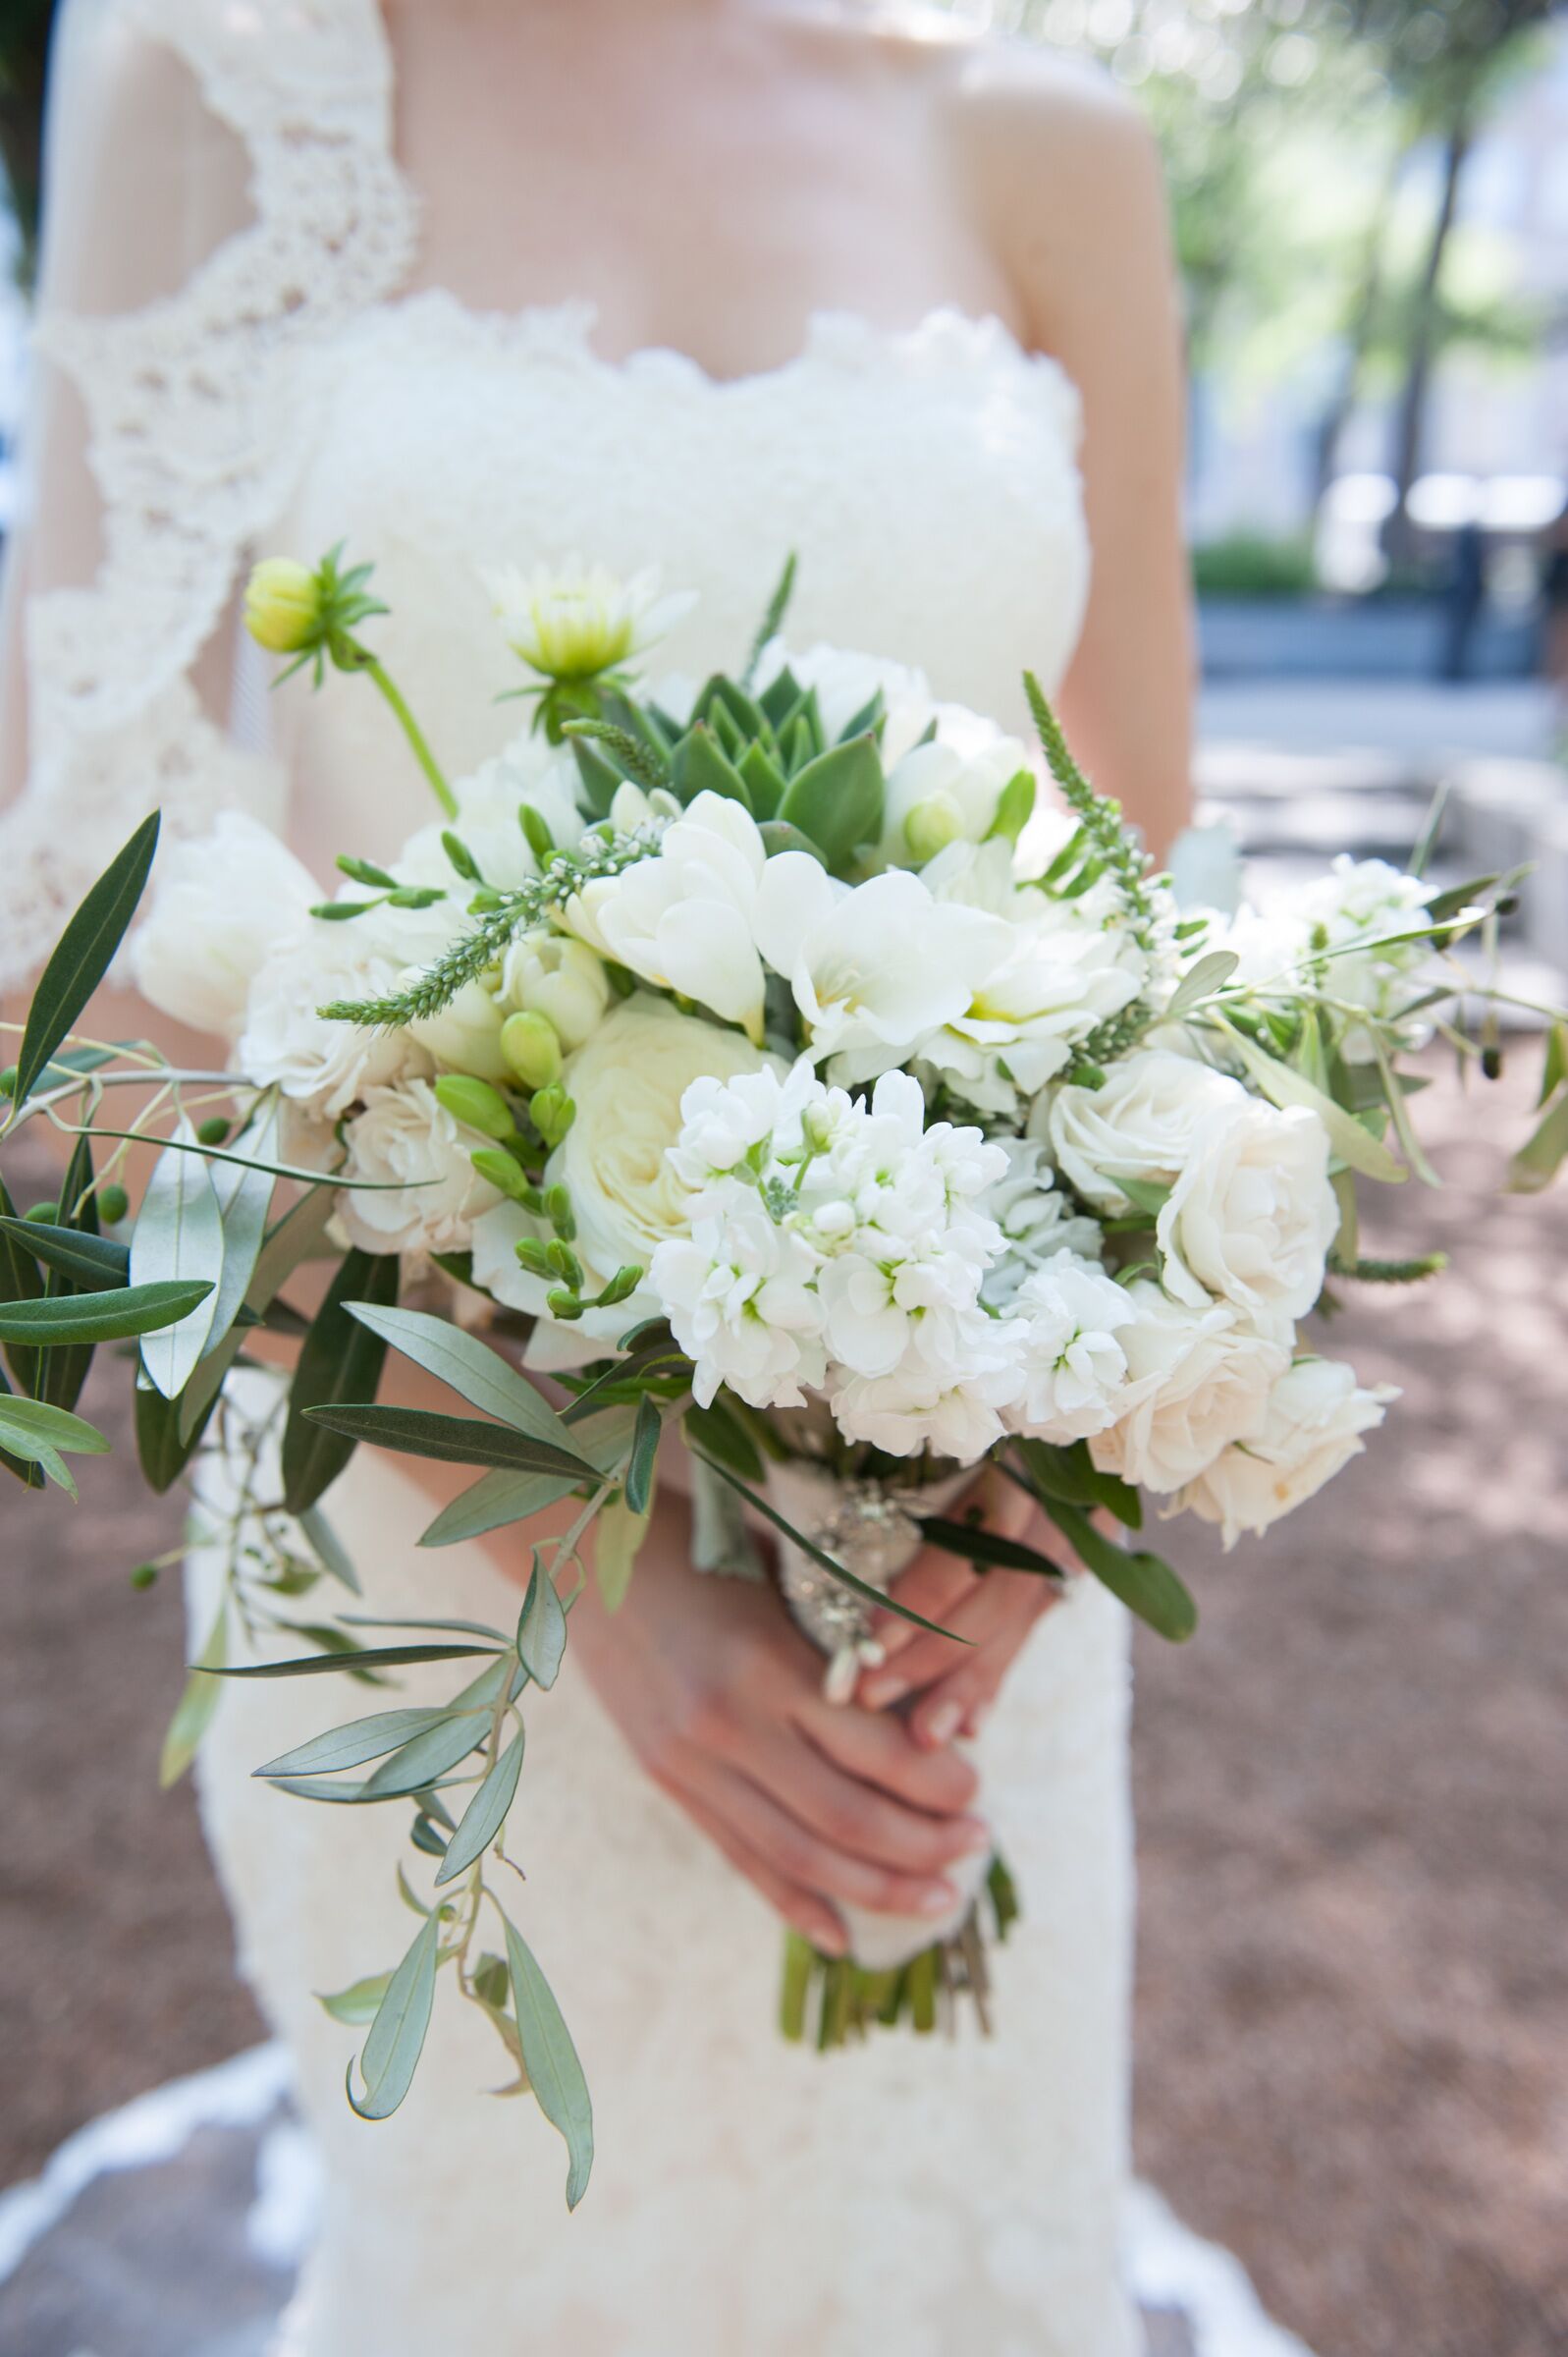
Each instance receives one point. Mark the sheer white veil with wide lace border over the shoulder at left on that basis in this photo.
(178, 423)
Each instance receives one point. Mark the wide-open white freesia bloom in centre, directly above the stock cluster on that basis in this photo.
(878, 968)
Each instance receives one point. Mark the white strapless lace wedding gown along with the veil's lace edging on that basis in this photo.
(751, 2200)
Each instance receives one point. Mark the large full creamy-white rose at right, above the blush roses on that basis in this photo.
(1253, 1213)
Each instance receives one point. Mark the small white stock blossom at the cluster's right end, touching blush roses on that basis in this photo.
(1067, 1323)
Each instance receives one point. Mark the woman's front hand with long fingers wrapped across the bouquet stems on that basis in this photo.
(723, 1703)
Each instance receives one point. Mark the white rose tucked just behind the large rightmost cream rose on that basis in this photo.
(1140, 1125)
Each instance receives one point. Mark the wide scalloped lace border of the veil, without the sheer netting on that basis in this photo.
(190, 444)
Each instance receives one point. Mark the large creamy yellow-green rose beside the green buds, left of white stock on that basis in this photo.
(628, 1088)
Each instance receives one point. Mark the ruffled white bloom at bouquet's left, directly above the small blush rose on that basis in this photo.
(322, 1064)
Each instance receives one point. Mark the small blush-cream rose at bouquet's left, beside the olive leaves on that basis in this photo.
(407, 1140)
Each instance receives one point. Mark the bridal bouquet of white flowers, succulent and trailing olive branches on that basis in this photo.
(760, 1059)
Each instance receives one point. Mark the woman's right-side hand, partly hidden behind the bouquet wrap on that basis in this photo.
(996, 1613)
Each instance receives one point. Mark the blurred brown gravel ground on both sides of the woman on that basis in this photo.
(1352, 1797)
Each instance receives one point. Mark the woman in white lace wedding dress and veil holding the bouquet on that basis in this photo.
(685, 282)
